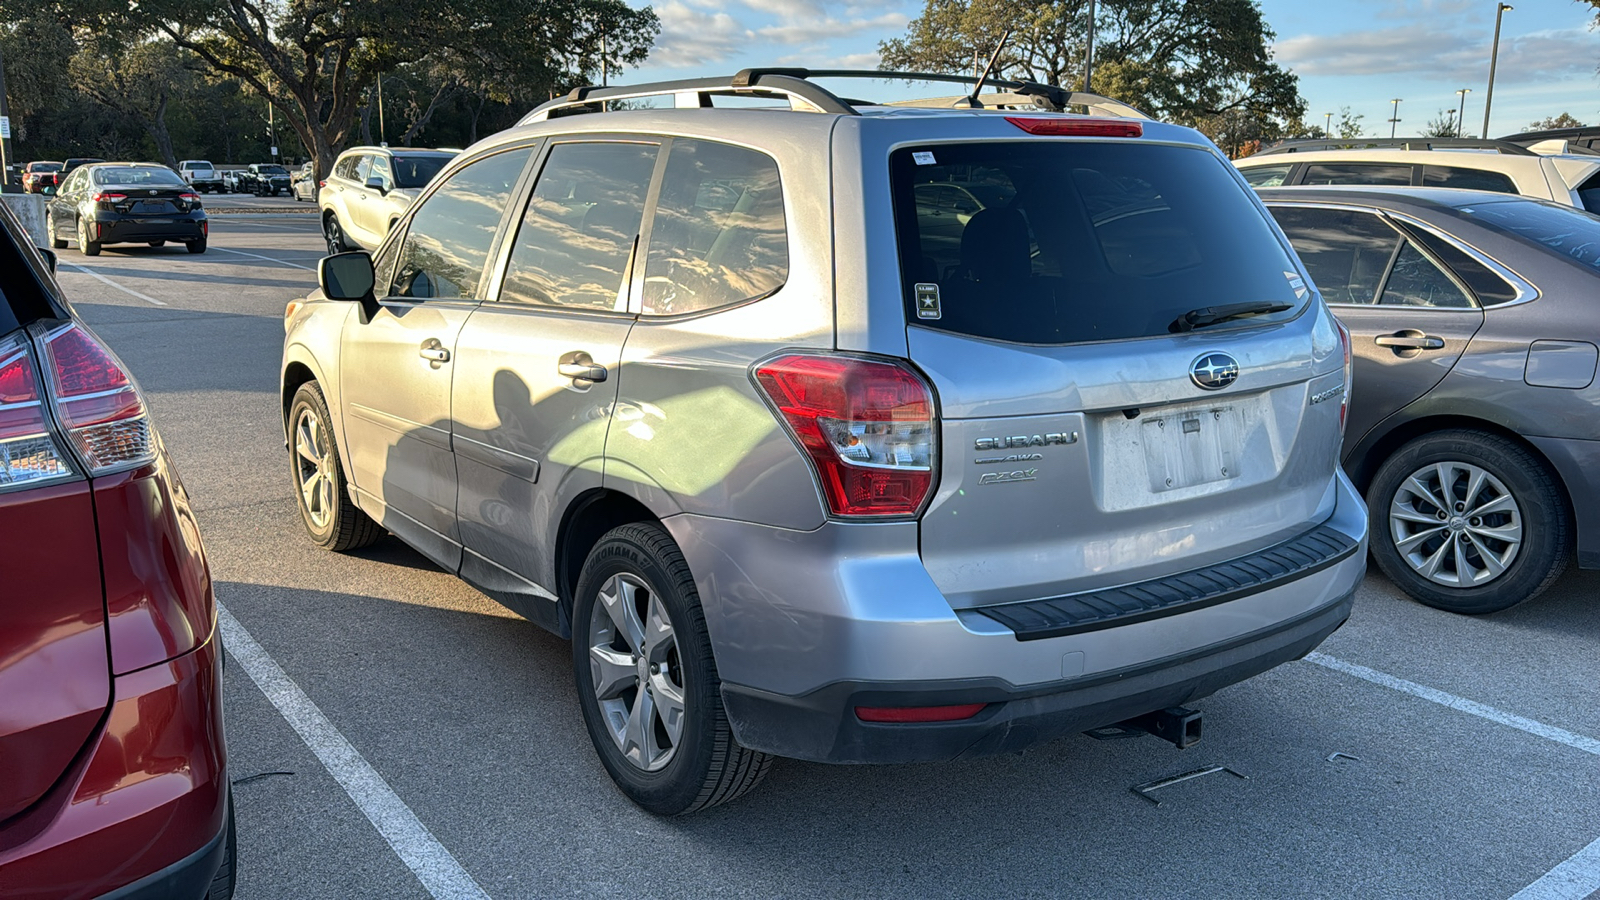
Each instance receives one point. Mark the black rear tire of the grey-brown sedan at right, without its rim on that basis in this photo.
(1546, 529)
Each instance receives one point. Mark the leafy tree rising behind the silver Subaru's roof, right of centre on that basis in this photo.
(1202, 63)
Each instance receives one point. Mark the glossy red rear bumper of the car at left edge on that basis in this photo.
(143, 811)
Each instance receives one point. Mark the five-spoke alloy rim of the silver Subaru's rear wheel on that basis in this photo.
(638, 672)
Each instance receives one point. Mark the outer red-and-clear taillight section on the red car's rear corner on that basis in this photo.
(97, 403)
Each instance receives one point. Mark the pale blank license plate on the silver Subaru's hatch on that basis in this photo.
(1193, 448)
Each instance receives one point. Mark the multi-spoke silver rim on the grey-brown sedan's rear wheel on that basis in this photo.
(1457, 524)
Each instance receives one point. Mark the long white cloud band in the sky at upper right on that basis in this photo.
(1401, 52)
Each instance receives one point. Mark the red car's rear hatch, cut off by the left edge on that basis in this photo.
(55, 678)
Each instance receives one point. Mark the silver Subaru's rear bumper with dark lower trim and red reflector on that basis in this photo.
(809, 625)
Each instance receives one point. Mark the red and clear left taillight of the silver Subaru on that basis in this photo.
(866, 425)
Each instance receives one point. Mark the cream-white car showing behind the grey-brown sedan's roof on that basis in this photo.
(1431, 163)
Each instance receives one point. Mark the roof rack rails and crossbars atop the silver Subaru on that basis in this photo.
(796, 86)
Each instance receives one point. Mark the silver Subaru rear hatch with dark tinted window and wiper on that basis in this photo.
(1127, 369)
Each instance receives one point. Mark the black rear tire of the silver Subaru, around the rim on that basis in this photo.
(708, 768)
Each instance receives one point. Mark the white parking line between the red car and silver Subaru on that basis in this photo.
(439, 872)
